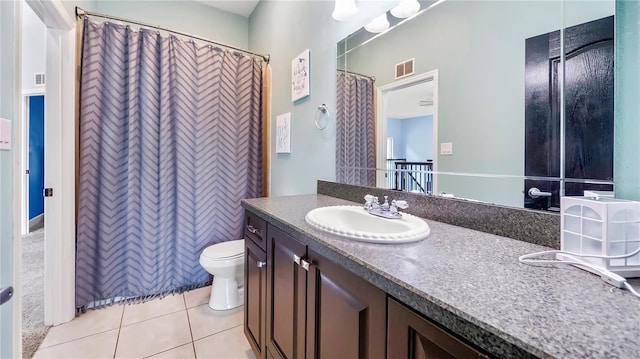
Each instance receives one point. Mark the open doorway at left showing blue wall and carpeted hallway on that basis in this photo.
(33, 68)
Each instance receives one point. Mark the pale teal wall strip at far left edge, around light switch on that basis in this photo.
(9, 79)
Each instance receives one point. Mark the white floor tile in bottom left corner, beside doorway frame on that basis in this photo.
(101, 345)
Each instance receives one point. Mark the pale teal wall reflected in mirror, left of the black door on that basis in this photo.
(478, 48)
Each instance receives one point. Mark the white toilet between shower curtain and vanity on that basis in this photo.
(225, 261)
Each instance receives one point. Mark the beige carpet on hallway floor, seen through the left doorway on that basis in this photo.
(33, 328)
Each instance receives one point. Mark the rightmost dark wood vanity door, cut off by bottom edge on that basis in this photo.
(412, 336)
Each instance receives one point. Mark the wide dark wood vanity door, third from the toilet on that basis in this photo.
(346, 315)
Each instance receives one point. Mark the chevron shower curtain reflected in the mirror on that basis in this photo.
(355, 130)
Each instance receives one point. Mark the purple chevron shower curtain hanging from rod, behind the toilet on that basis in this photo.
(170, 142)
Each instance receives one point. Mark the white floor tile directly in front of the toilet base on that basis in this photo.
(206, 321)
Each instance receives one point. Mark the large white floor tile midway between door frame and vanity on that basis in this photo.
(153, 336)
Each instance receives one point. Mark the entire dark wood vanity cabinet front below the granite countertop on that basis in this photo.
(300, 304)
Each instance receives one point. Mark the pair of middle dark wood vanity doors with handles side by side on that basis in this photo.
(316, 309)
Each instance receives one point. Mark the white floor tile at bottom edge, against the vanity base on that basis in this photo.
(230, 344)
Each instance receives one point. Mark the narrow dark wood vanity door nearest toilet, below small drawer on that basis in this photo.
(255, 296)
